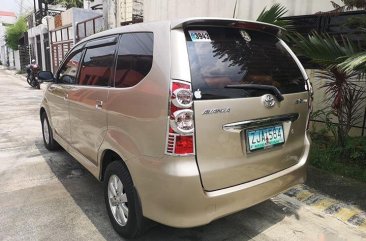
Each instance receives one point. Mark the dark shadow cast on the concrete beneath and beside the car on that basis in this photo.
(88, 195)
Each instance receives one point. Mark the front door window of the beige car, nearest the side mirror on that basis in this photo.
(68, 72)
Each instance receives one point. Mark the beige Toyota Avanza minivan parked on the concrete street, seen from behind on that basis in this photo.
(183, 121)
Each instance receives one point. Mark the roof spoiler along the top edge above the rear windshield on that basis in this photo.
(228, 22)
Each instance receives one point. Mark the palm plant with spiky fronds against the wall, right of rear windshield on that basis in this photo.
(344, 96)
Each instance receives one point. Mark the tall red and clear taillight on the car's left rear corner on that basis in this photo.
(180, 139)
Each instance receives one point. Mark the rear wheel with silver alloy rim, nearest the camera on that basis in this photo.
(122, 201)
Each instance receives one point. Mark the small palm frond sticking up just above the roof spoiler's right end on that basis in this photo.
(273, 15)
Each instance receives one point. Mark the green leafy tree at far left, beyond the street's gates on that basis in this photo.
(15, 32)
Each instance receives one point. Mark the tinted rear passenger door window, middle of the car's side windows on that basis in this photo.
(97, 66)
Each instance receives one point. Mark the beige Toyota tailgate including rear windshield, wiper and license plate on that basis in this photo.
(245, 129)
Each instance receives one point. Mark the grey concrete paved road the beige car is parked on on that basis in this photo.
(49, 196)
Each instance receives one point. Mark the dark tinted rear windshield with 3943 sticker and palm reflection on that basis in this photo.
(227, 56)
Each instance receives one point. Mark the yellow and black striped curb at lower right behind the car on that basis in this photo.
(346, 213)
